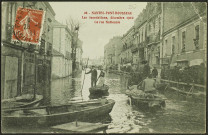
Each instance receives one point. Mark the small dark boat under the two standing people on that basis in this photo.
(102, 90)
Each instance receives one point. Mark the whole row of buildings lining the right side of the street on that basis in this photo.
(165, 34)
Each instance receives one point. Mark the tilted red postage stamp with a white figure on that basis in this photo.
(28, 25)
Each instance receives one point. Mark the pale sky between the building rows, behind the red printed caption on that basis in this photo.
(96, 36)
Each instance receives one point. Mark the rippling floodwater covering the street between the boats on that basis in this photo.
(179, 116)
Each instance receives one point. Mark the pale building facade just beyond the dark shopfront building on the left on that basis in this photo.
(61, 55)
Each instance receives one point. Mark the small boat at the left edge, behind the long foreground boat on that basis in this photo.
(21, 101)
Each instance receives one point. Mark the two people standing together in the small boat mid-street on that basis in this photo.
(94, 78)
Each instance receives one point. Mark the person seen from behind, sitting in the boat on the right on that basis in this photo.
(149, 84)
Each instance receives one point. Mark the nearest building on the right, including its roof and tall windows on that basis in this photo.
(184, 39)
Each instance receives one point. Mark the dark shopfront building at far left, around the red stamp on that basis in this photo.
(25, 67)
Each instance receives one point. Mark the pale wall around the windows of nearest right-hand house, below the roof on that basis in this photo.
(191, 52)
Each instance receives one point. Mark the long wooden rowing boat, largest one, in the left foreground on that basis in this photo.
(59, 114)
